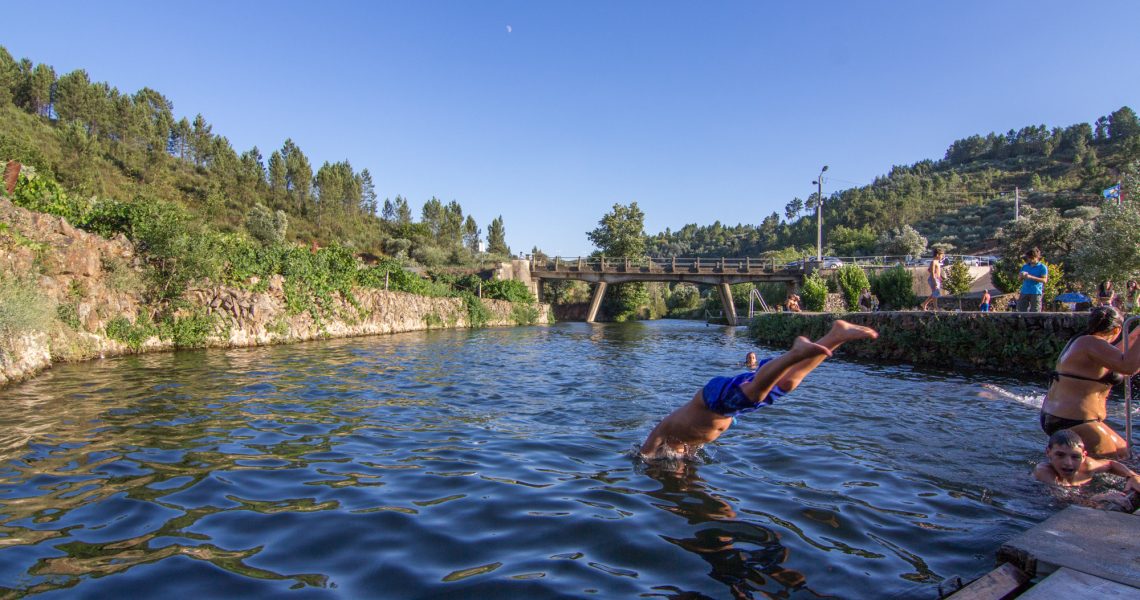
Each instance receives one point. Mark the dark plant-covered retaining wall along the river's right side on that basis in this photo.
(1006, 343)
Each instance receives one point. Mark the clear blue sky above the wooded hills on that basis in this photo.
(697, 111)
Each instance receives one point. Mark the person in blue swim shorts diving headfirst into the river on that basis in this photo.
(713, 408)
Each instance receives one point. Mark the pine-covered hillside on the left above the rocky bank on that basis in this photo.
(96, 141)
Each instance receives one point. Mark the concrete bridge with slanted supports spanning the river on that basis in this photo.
(719, 272)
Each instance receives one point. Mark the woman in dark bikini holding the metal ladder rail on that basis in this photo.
(1088, 369)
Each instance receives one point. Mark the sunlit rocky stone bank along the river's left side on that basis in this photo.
(62, 290)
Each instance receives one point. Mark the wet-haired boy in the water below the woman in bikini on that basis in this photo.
(1070, 466)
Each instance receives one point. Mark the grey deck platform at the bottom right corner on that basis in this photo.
(1102, 544)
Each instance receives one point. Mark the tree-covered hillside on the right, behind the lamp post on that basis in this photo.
(960, 200)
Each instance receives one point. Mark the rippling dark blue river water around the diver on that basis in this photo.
(499, 464)
